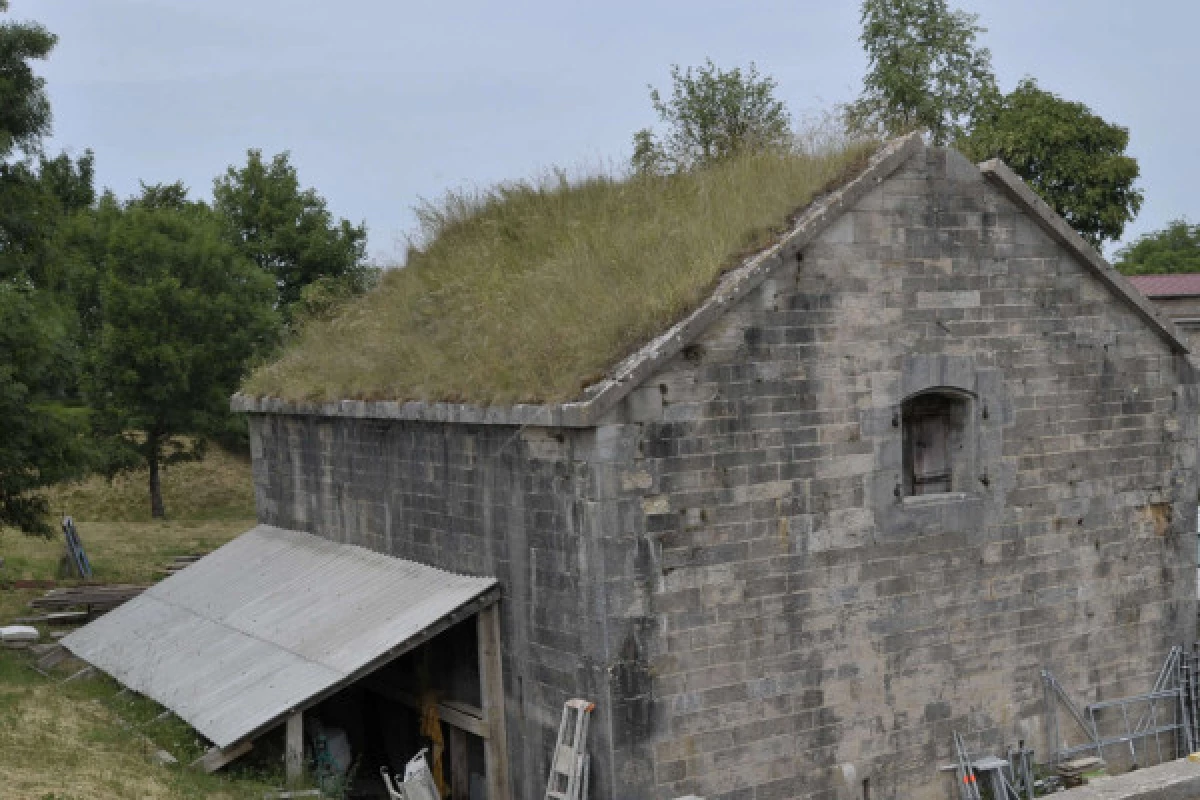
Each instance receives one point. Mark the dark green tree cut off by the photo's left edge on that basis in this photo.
(39, 446)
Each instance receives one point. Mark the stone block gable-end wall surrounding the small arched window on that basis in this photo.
(800, 615)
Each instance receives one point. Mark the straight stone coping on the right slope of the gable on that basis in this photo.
(1000, 175)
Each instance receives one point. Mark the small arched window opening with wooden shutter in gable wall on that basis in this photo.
(937, 442)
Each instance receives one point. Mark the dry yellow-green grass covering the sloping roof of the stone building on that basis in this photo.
(529, 293)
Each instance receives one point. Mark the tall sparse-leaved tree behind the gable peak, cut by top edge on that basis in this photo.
(925, 70)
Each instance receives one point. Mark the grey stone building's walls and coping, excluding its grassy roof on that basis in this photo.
(925, 447)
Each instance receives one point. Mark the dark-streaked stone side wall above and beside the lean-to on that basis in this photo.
(491, 501)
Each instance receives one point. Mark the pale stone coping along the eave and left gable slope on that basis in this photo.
(628, 375)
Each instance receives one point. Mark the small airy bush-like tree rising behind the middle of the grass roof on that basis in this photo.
(710, 116)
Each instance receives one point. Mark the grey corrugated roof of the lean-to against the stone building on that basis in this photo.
(273, 622)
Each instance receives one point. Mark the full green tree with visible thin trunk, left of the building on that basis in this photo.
(184, 314)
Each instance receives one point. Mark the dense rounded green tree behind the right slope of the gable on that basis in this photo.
(1069, 155)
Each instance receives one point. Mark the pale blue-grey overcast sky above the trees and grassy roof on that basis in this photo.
(385, 103)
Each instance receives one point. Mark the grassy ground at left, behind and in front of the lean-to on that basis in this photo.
(85, 741)
